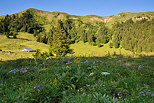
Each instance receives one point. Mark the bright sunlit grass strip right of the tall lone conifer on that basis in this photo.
(85, 49)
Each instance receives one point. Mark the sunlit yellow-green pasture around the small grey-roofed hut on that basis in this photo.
(11, 48)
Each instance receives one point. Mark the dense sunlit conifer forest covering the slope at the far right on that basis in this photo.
(136, 36)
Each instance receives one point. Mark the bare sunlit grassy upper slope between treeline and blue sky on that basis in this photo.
(48, 16)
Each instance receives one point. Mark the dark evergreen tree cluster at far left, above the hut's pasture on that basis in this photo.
(11, 24)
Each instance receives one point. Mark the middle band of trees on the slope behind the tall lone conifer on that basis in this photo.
(76, 30)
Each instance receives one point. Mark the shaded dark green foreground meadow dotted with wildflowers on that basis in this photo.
(74, 80)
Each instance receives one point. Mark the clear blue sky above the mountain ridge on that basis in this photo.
(78, 7)
